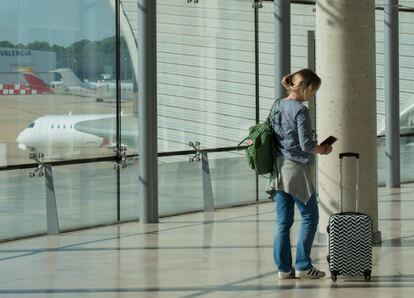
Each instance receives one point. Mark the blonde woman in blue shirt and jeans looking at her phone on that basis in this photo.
(291, 123)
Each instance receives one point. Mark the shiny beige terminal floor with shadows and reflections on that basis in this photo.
(223, 254)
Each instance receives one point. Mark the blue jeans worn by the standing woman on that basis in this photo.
(285, 206)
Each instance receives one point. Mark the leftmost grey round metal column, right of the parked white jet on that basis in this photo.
(147, 111)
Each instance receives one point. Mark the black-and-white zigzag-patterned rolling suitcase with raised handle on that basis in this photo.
(350, 237)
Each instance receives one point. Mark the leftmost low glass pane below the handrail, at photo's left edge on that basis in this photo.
(23, 204)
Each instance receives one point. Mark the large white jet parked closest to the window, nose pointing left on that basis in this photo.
(59, 136)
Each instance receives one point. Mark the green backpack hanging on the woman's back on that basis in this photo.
(261, 149)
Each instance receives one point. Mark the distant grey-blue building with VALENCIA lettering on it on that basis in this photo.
(11, 60)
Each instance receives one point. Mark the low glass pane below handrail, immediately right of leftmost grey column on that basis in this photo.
(180, 185)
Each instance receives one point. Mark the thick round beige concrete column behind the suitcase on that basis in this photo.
(346, 108)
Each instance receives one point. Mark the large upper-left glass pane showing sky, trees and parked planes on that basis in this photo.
(57, 59)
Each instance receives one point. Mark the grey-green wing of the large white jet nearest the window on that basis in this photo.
(106, 128)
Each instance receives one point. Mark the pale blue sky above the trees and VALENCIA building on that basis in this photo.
(60, 22)
